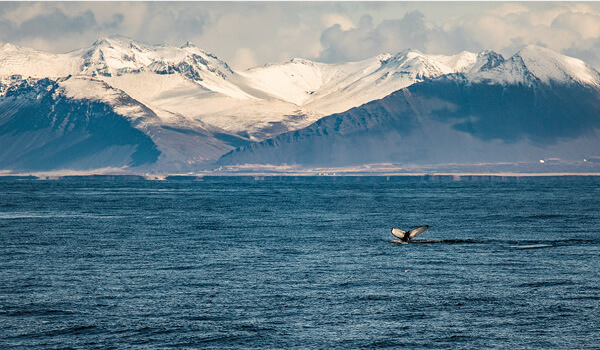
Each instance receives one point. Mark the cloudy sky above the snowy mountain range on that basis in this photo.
(248, 34)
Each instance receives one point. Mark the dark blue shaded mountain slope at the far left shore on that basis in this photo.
(42, 129)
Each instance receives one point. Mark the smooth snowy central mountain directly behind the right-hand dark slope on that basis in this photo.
(333, 88)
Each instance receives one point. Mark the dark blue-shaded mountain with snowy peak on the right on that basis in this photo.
(537, 105)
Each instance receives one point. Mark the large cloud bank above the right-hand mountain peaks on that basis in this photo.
(568, 28)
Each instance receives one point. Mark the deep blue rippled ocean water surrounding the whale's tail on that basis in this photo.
(302, 263)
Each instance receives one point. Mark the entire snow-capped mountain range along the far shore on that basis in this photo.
(192, 107)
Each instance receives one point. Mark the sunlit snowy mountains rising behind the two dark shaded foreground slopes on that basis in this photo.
(255, 104)
